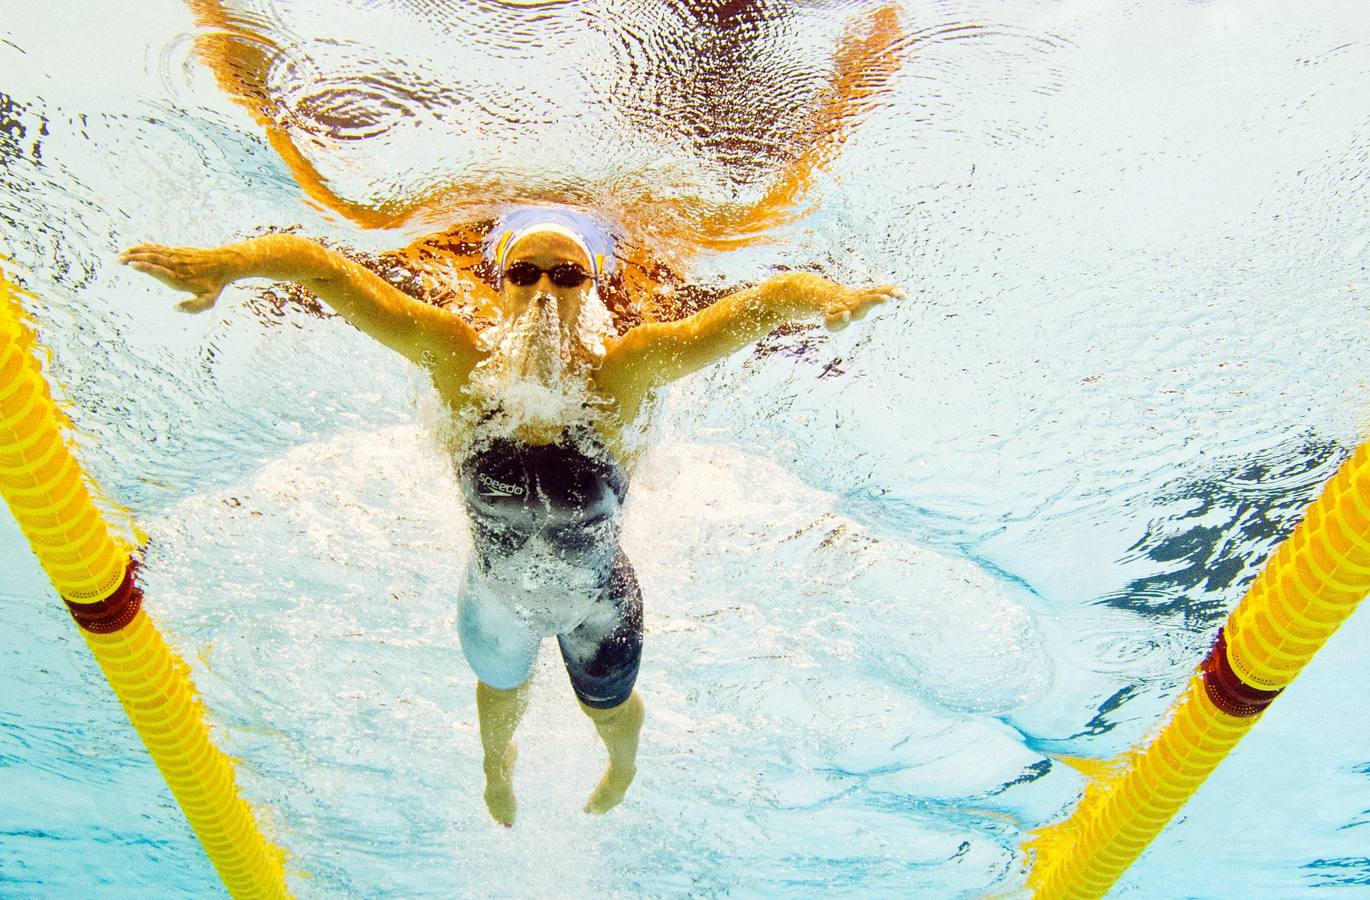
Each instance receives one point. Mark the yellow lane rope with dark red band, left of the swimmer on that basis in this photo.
(95, 576)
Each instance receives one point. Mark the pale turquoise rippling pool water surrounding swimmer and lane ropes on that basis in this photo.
(890, 573)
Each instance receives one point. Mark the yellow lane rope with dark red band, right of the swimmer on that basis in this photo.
(1306, 591)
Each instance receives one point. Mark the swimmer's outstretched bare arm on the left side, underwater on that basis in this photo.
(421, 332)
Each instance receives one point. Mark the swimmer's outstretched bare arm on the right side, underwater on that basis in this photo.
(660, 353)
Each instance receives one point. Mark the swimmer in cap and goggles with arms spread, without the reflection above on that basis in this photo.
(543, 405)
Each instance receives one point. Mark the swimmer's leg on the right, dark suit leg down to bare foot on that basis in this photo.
(602, 658)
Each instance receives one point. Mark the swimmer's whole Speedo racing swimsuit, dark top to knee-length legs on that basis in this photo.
(549, 562)
